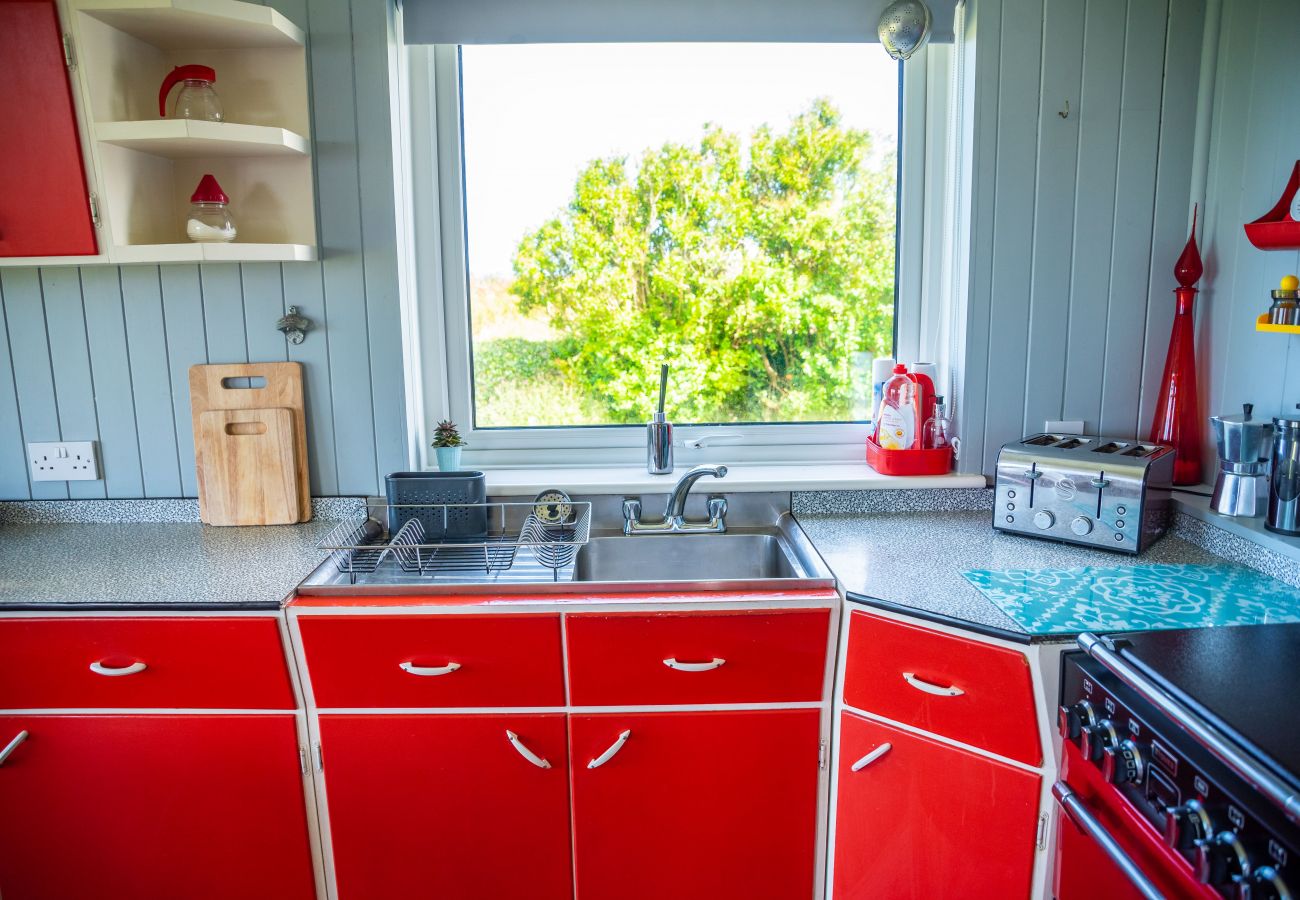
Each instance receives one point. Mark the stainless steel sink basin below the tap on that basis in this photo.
(687, 559)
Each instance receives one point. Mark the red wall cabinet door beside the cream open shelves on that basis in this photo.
(45, 207)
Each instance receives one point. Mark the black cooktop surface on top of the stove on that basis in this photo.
(1247, 678)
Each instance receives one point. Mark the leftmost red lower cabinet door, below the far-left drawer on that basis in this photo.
(197, 807)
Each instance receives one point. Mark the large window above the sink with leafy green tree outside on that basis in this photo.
(726, 209)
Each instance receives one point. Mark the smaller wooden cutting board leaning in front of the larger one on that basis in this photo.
(248, 473)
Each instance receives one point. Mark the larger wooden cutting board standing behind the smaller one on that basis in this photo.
(215, 388)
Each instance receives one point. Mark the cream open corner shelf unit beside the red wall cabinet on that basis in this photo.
(145, 167)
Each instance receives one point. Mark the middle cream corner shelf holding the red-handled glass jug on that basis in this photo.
(180, 139)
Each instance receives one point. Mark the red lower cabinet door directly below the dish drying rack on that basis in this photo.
(448, 806)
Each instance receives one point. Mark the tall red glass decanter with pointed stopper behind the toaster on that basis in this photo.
(1178, 422)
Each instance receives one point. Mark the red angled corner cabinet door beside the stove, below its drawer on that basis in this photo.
(925, 820)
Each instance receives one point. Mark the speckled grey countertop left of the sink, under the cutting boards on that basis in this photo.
(155, 565)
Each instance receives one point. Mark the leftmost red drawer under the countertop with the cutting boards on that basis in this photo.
(144, 664)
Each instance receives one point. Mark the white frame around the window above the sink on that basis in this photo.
(436, 309)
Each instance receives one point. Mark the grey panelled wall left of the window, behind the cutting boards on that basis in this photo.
(102, 353)
